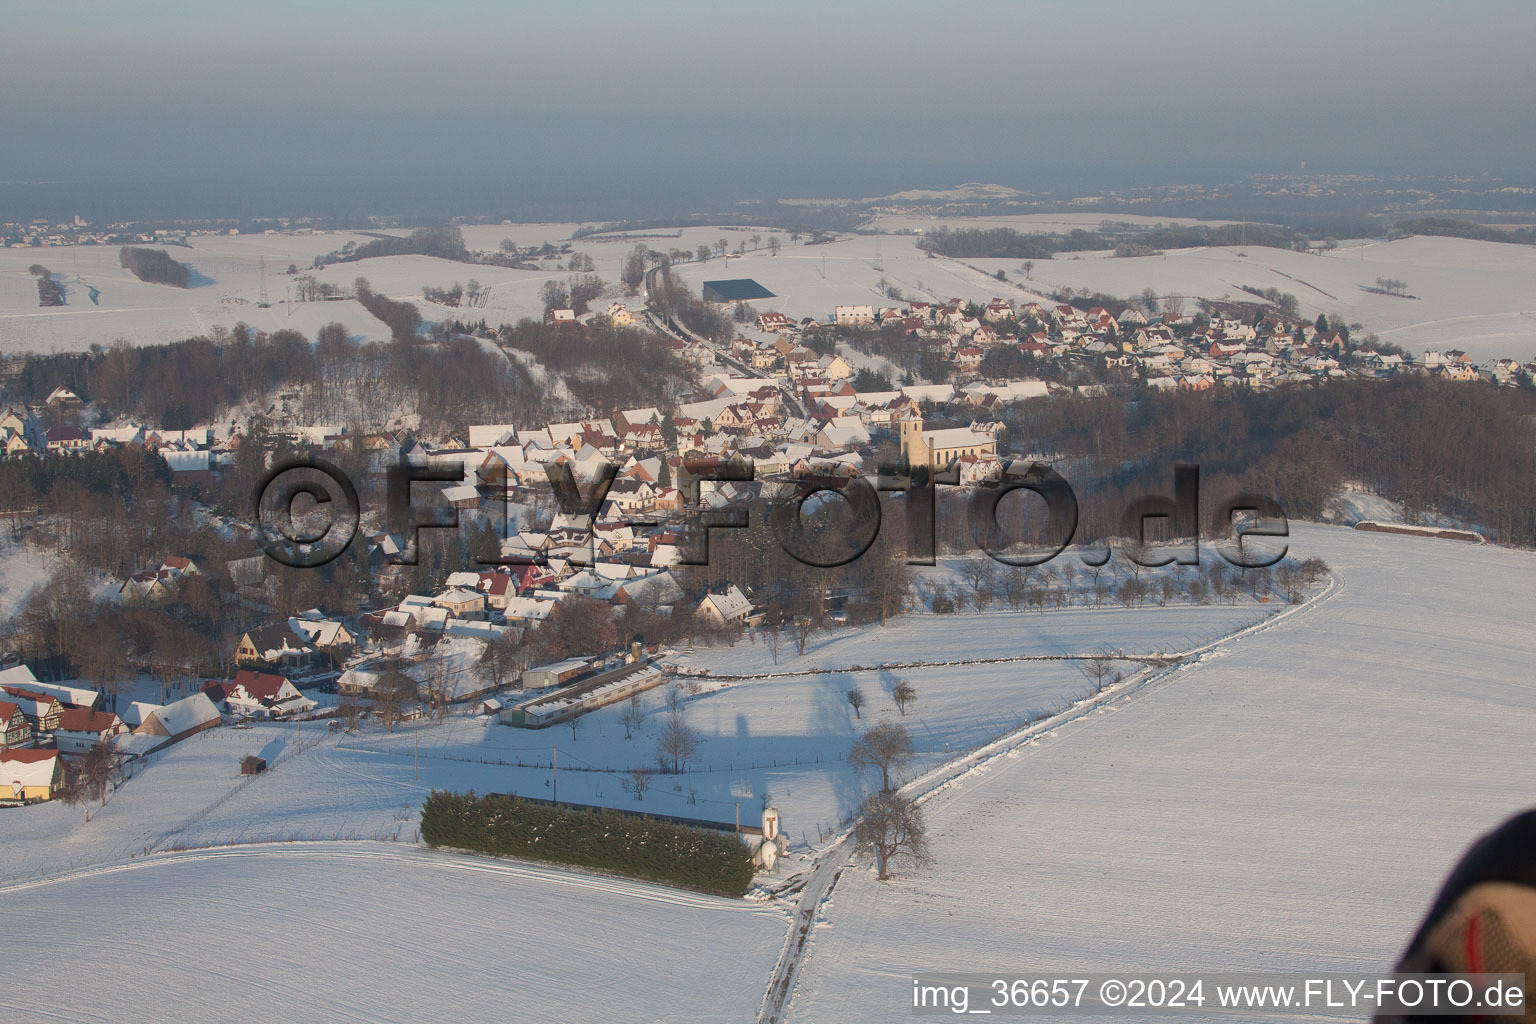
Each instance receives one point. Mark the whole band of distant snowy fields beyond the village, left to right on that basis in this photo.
(1472, 296)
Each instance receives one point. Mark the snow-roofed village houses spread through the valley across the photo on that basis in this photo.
(787, 406)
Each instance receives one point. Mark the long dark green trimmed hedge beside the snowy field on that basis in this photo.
(643, 848)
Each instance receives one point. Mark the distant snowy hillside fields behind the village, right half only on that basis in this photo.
(1472, 296)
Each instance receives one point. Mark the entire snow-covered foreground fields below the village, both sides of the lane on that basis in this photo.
(1289, 801)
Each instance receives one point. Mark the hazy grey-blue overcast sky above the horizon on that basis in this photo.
(171, 91)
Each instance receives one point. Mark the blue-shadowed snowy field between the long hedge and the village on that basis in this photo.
(772, 735)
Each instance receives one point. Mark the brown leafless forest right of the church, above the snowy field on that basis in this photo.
(1463, 451)
